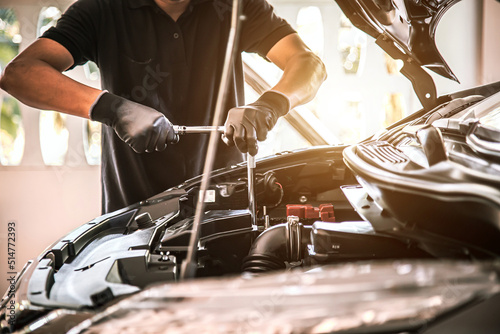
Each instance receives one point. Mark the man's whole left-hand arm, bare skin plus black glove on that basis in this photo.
(35, 78)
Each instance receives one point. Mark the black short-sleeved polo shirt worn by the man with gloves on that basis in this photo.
(174, 67)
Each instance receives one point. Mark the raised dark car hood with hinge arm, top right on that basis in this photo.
(405, 29)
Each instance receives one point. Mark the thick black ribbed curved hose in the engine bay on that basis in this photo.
(274, 247)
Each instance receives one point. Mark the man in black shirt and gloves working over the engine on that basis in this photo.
(160, 64)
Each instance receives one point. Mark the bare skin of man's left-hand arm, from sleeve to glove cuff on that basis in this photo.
(35, 78)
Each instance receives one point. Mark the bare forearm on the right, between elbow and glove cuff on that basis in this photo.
(303, 75)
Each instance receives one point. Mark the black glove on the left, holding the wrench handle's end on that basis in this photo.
(142, 128)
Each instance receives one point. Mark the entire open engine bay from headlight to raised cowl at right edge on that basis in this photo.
(315, 207)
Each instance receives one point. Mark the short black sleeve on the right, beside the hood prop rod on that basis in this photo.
(262, 28)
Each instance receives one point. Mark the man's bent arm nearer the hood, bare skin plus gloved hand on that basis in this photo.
(303, 74)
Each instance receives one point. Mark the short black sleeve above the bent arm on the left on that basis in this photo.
(77, 31)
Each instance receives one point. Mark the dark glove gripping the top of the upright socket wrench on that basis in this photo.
(245, 125)
